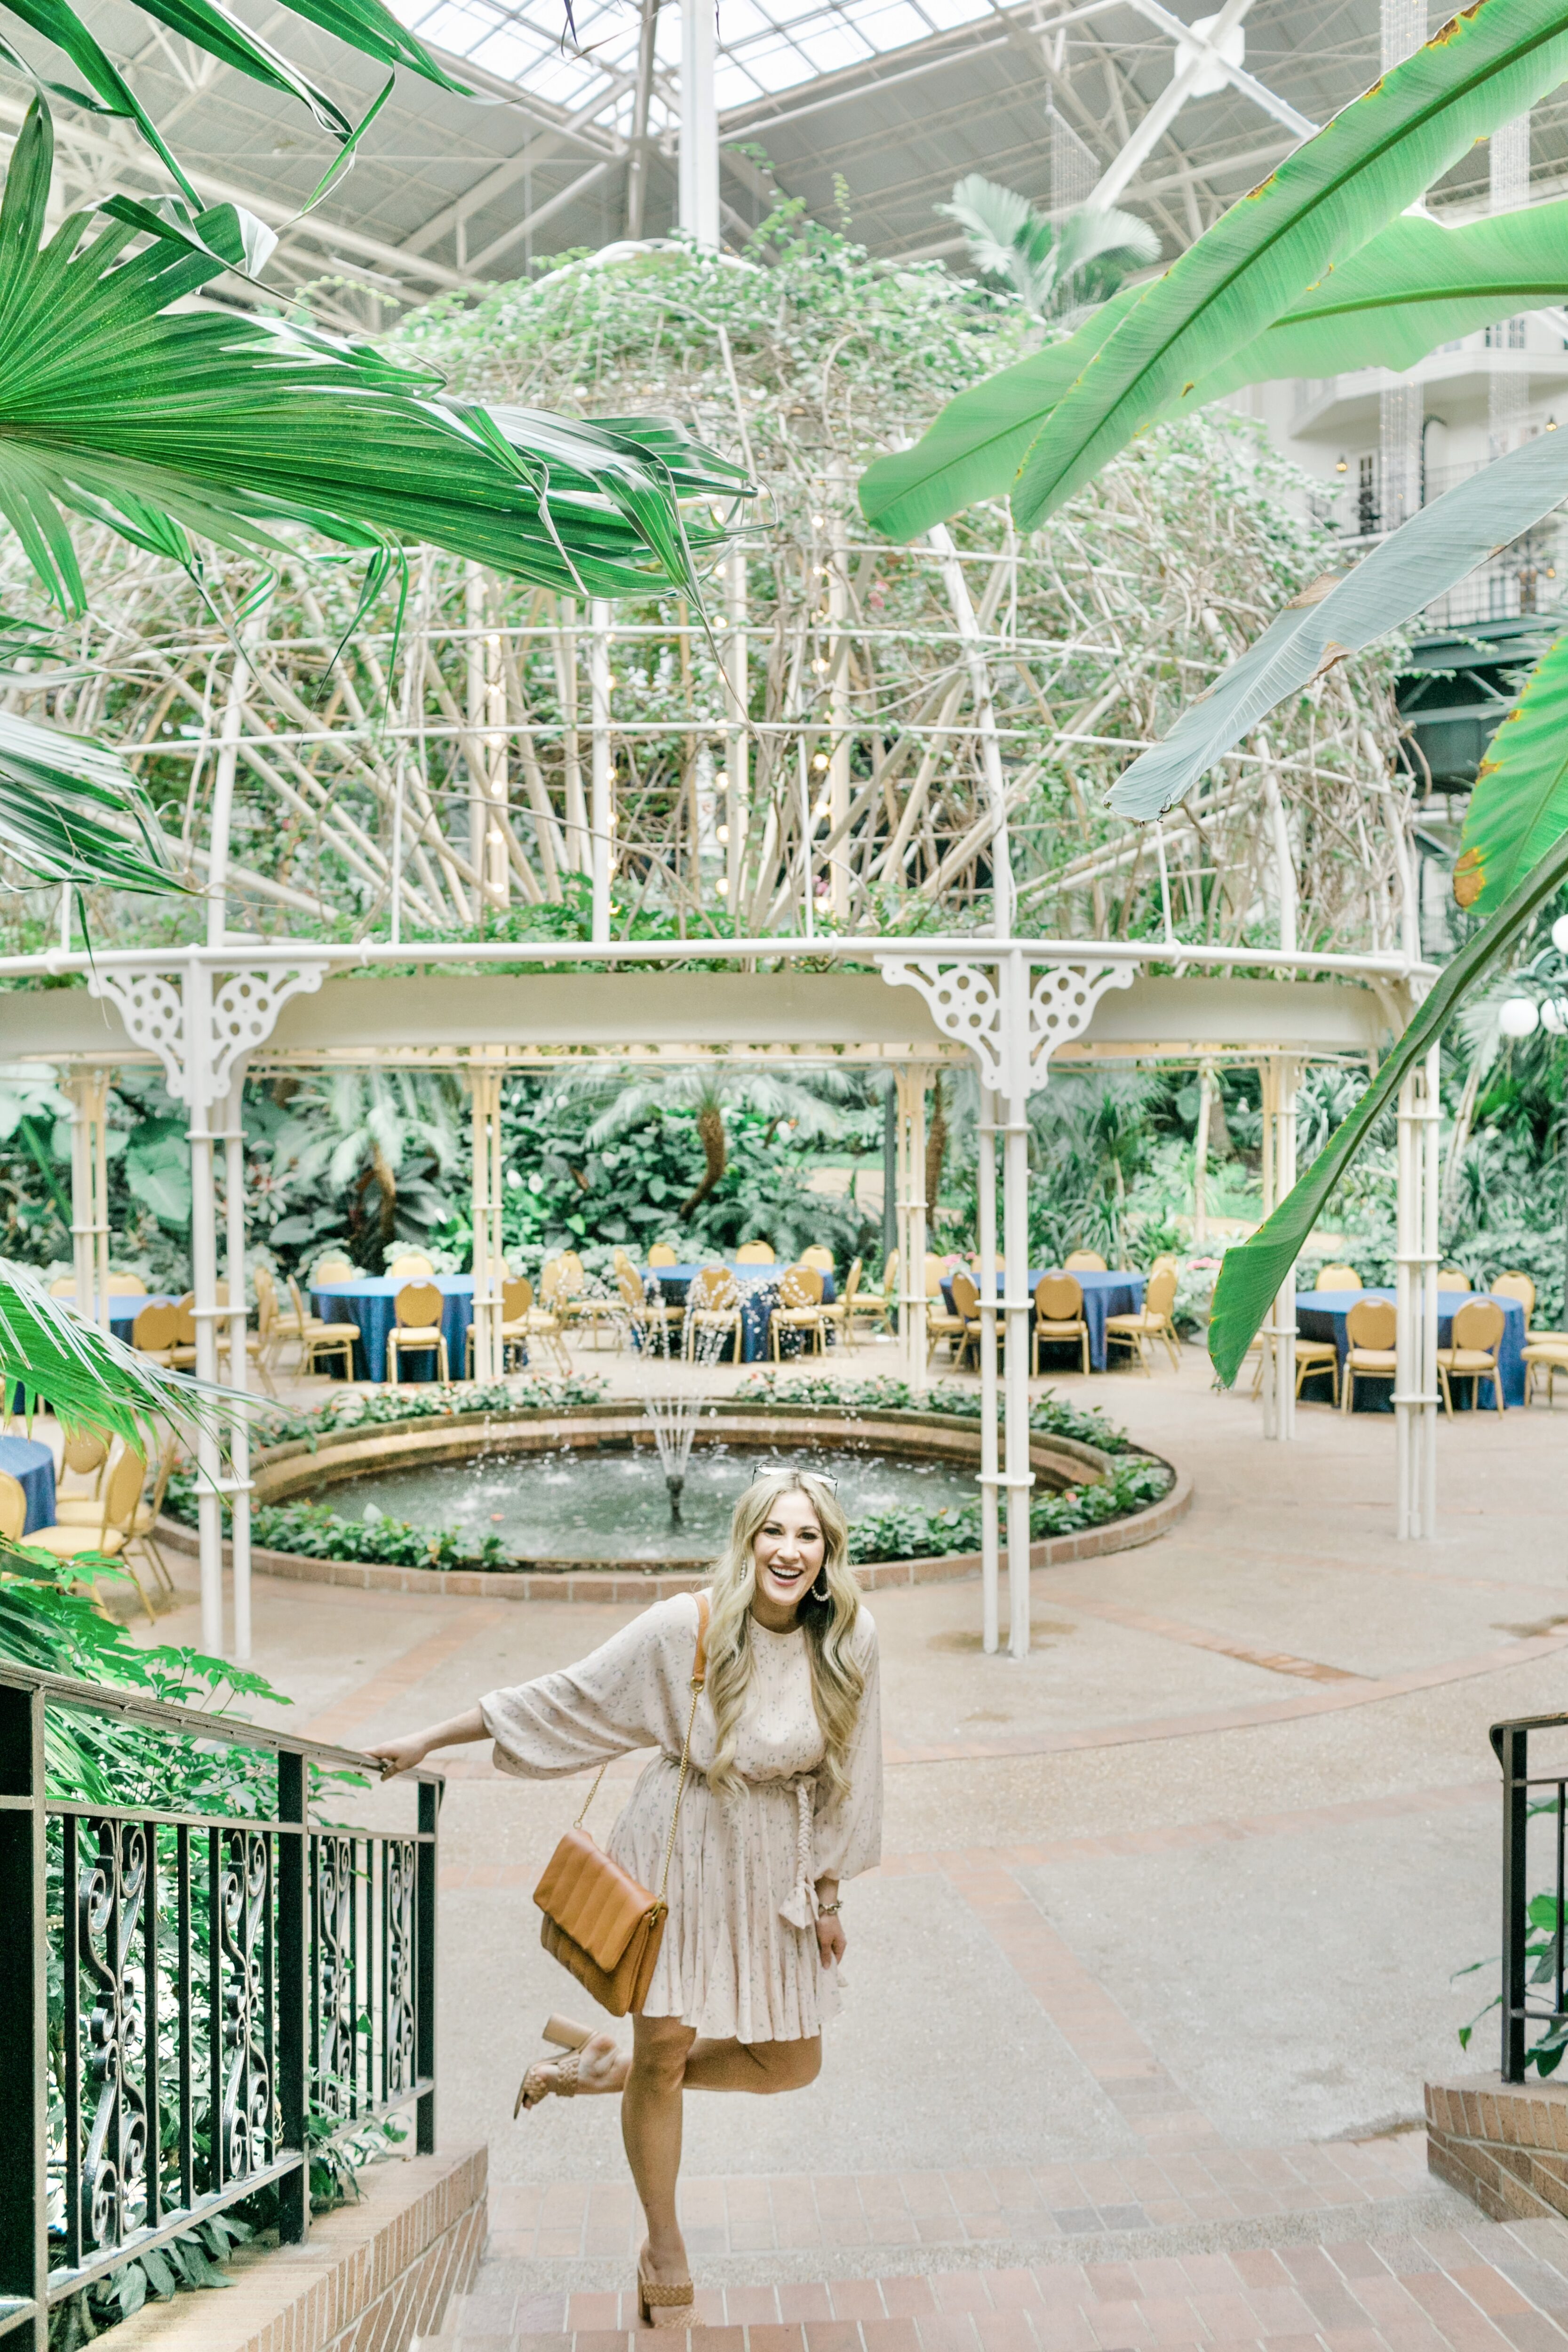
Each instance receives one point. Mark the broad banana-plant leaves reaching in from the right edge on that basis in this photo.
(1165, 345)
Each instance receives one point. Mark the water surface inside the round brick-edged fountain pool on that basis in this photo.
(612, 1504)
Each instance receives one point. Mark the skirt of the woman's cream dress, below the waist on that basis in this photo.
(730, 1963)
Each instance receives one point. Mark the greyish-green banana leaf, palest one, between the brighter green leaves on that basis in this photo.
(1339, 615)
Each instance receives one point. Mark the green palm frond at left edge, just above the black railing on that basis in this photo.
(88, 1377)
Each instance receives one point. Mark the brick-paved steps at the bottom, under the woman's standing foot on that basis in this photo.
(1409, 2271)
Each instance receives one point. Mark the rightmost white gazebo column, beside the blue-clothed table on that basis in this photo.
(1416, 1307)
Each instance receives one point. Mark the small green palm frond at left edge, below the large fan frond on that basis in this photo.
(74, 813)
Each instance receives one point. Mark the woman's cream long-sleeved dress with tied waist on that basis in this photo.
(739, 1953)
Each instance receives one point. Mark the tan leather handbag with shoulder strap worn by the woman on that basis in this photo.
(596, 1918)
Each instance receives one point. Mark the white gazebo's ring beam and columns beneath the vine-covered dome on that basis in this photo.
(1012, 1005)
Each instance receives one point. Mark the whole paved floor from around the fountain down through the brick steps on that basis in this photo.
(1158, 1960)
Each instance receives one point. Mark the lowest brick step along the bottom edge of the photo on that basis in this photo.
(1480, 2287)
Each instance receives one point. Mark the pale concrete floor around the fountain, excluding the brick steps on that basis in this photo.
(1221, 1843)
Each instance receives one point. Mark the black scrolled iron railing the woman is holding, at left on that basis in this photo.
(196, 1996)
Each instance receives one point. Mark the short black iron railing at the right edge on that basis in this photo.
(1534, 1840)
